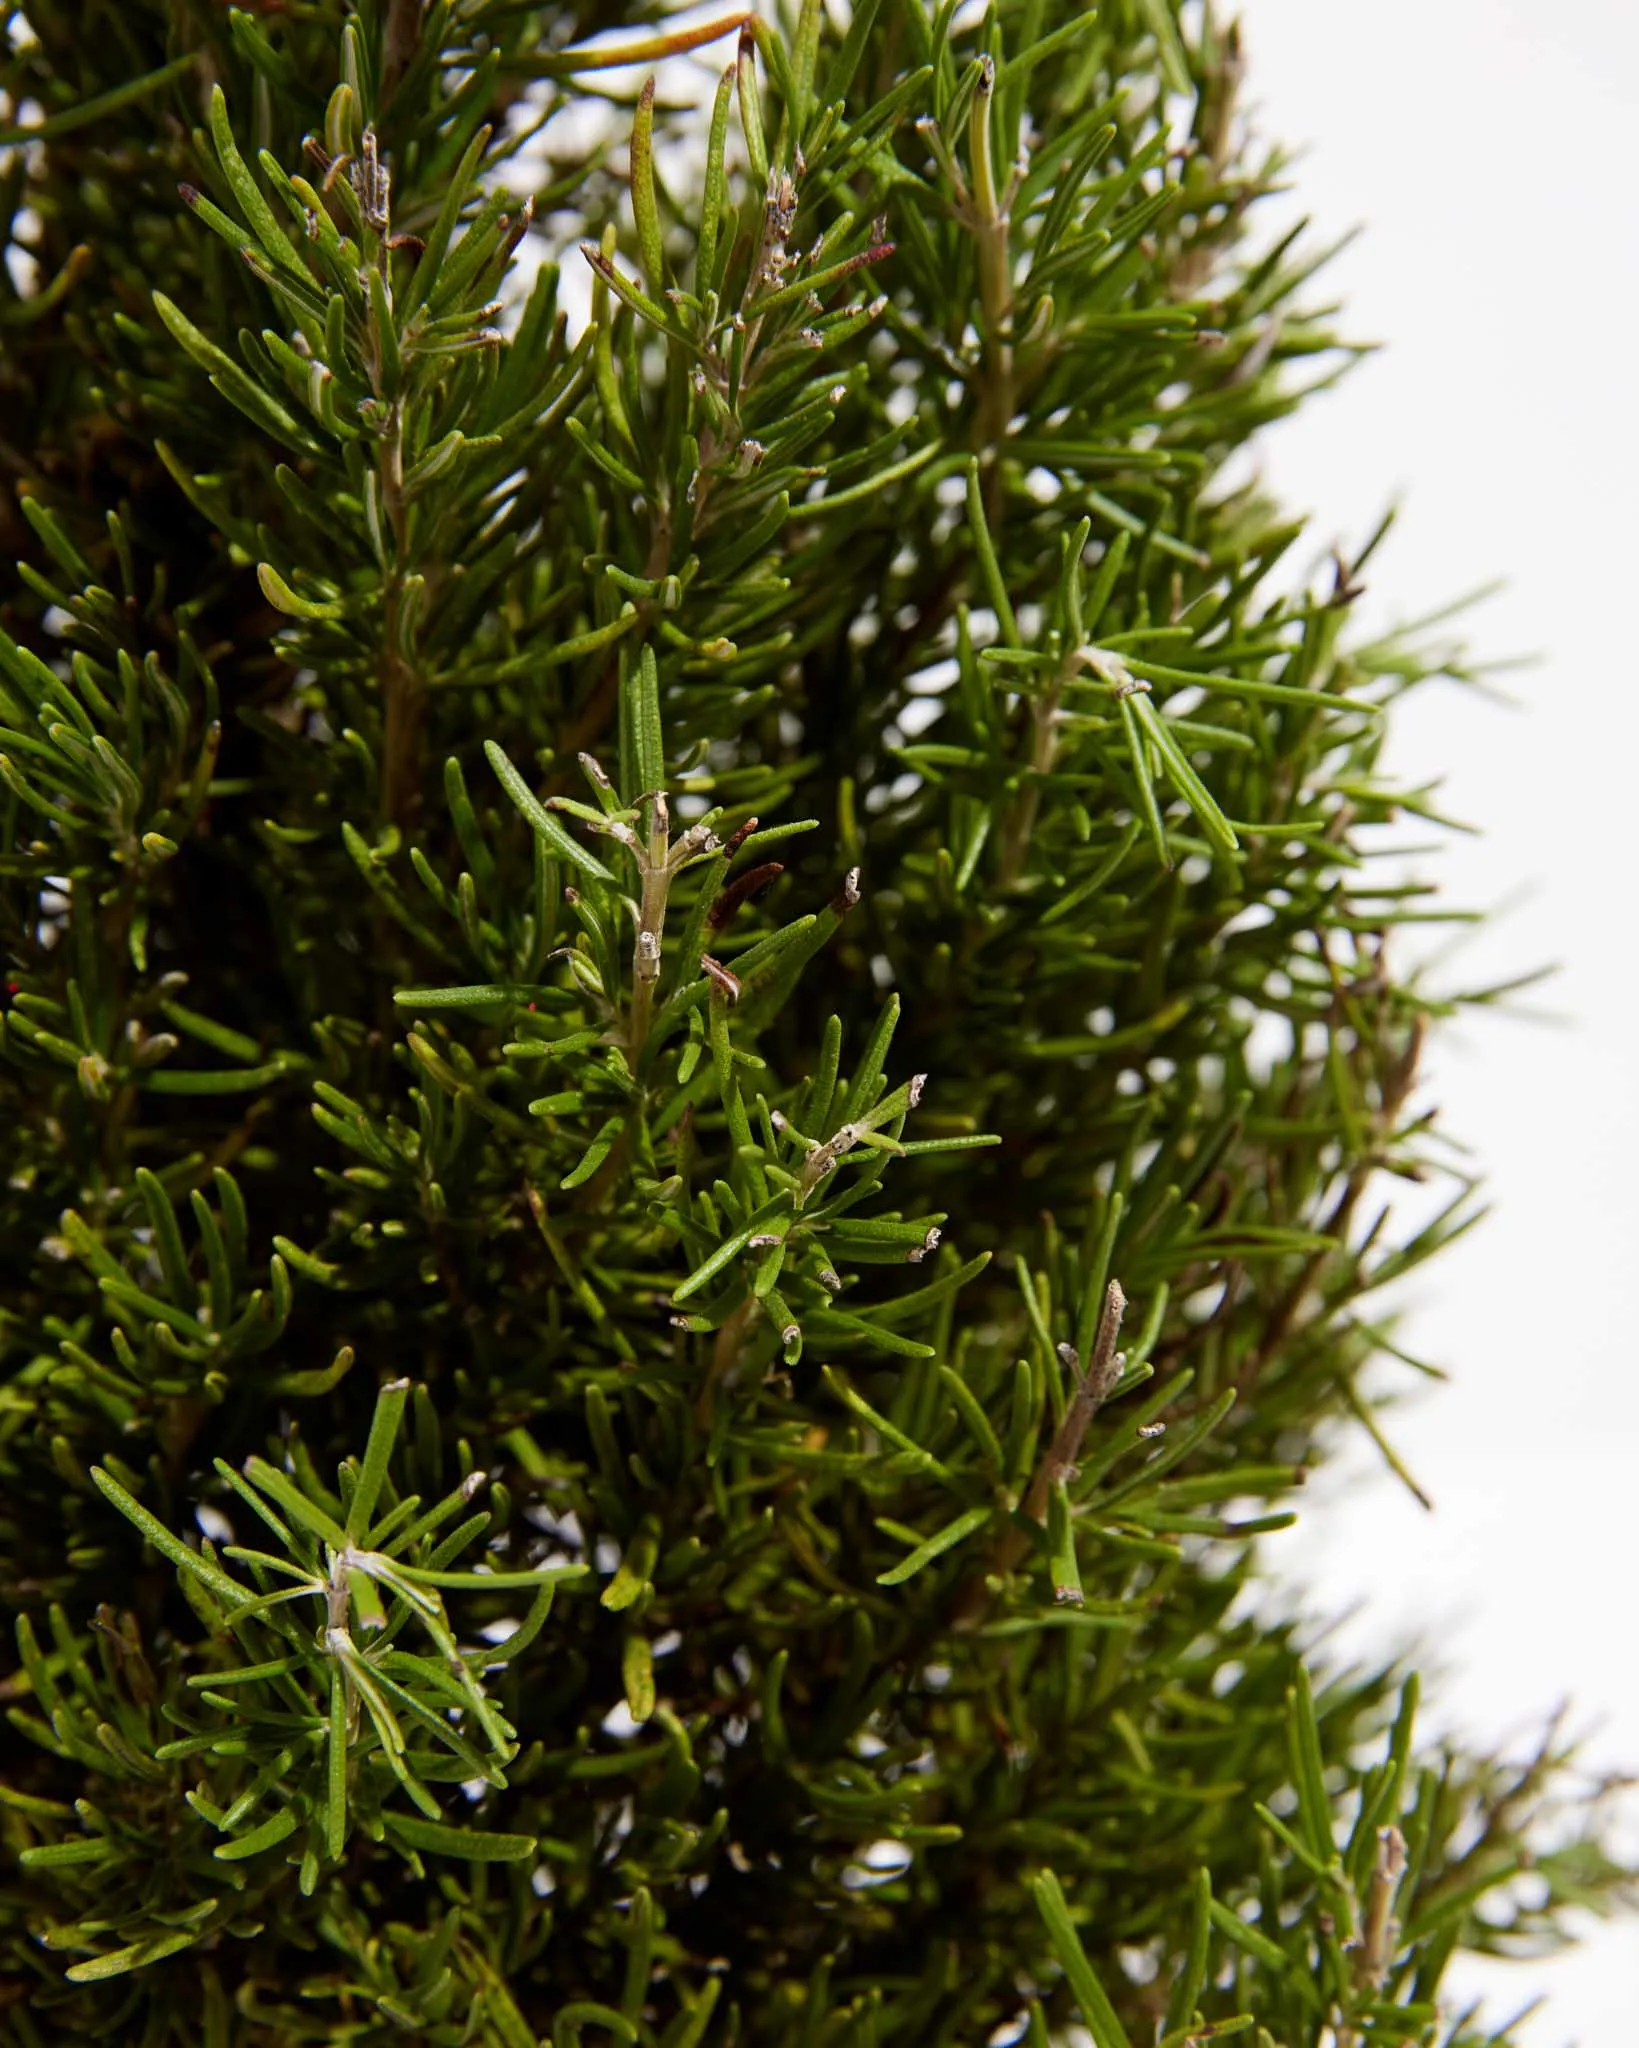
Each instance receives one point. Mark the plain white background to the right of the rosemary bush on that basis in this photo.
(1486, 146)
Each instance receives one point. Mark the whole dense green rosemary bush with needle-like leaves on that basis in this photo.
(552, 845)
